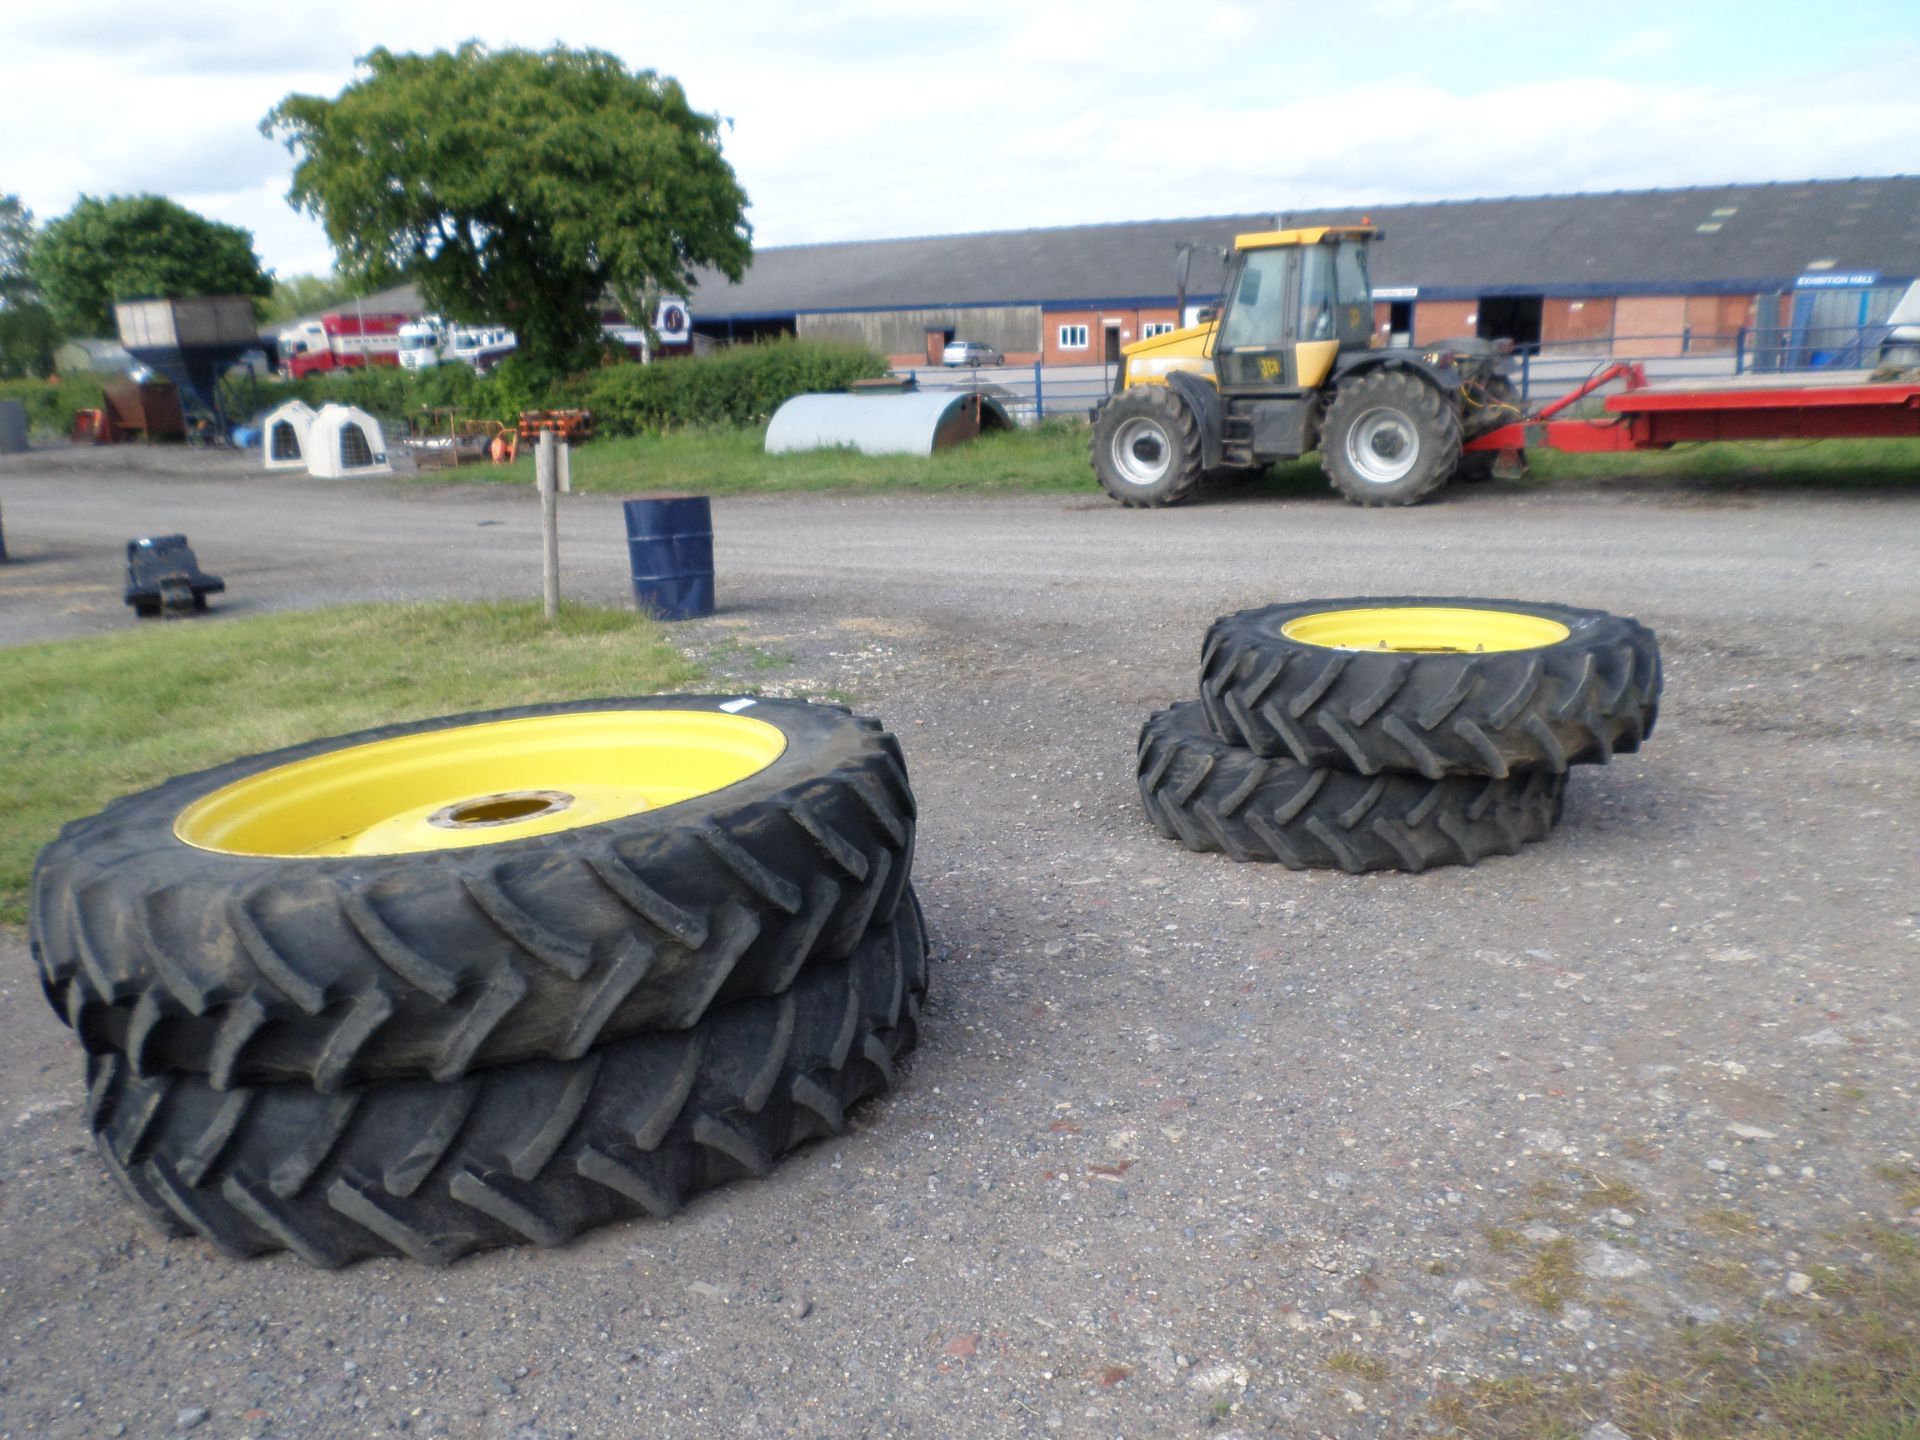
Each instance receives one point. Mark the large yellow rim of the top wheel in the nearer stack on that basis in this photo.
(504, 780)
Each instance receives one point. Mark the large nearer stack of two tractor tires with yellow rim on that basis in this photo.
(492, 978)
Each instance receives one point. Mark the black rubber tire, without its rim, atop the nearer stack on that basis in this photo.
(335, 972)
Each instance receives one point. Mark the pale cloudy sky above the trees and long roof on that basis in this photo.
(867, 120)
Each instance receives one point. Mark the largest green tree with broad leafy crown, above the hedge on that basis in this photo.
(517, 187)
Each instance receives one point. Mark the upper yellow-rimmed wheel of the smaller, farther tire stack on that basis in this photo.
(1431, 686)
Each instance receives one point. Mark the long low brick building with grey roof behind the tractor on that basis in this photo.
(1643, 272)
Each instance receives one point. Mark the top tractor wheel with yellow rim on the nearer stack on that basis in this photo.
(249, 961)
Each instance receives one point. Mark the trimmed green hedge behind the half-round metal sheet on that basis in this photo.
(742, 387)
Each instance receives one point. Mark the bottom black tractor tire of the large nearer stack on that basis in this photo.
(529, 1153)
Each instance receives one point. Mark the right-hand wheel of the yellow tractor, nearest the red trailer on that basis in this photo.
(1389, 439)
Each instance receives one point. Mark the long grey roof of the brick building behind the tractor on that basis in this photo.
(1706, 237)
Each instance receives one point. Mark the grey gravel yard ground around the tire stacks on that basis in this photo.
(1188, 1145)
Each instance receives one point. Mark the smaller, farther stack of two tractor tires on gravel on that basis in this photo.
(1395, 734)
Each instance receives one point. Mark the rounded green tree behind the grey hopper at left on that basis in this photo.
(139, 249)
